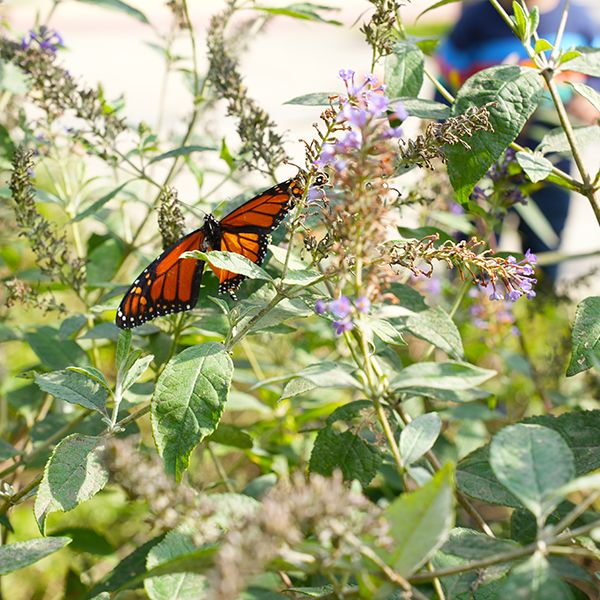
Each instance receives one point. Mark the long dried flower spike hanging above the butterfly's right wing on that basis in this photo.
(262, 146)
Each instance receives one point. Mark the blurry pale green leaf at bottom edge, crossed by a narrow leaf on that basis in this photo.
(176, 586)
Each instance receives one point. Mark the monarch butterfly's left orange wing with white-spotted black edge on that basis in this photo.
(167, 285)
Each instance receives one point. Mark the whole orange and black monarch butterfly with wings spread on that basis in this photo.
(170, 284)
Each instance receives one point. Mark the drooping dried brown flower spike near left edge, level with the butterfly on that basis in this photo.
(51, 248)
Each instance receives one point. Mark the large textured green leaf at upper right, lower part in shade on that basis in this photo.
(515, 93)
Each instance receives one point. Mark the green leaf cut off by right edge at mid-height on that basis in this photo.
(585, 336)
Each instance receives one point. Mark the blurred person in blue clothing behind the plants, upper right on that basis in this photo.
(481, 39)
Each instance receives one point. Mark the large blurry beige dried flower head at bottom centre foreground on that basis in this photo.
(321, 508)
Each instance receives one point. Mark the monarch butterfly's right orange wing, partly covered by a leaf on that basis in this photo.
(246, 229)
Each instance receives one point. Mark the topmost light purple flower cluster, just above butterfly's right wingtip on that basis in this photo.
(366, 112)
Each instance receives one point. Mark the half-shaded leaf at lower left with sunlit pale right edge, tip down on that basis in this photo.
(74, 473)
